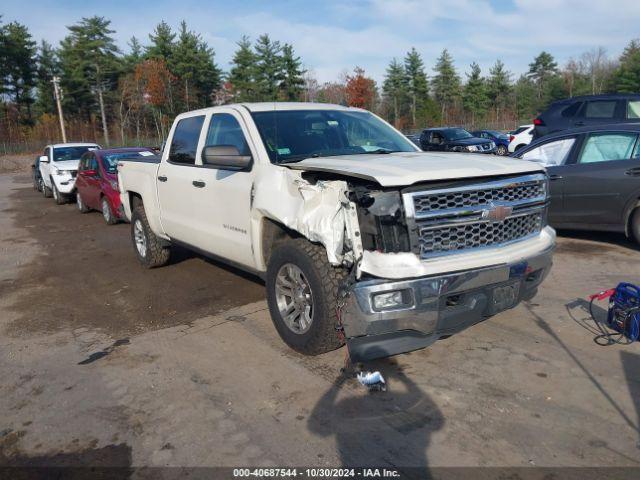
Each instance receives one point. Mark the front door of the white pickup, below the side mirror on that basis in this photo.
(223, 197)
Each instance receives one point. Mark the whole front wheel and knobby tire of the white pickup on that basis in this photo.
(302, 287)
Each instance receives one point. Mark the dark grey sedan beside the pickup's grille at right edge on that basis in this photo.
(594, 177)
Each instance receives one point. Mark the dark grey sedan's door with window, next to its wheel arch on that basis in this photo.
(605, 173)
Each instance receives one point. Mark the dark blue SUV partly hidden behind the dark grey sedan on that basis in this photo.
(586, 111)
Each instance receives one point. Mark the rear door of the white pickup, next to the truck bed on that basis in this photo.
(175, 178)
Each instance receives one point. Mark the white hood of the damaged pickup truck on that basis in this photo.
(406, 168)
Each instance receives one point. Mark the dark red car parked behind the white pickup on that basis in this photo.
(97, 181)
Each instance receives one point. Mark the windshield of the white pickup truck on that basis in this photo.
(293, 135)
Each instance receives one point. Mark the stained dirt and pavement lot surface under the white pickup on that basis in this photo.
(105, 363)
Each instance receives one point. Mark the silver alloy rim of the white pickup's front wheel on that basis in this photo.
(294, 298)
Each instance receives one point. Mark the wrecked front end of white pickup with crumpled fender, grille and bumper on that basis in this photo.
(428, 259)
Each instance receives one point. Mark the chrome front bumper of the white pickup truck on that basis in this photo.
(437, 306)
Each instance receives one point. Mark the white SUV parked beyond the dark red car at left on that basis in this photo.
(59, 166)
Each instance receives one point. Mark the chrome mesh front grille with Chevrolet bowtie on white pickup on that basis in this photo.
(459, 219)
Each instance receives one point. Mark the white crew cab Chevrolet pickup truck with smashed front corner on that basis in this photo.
(358, 234)
